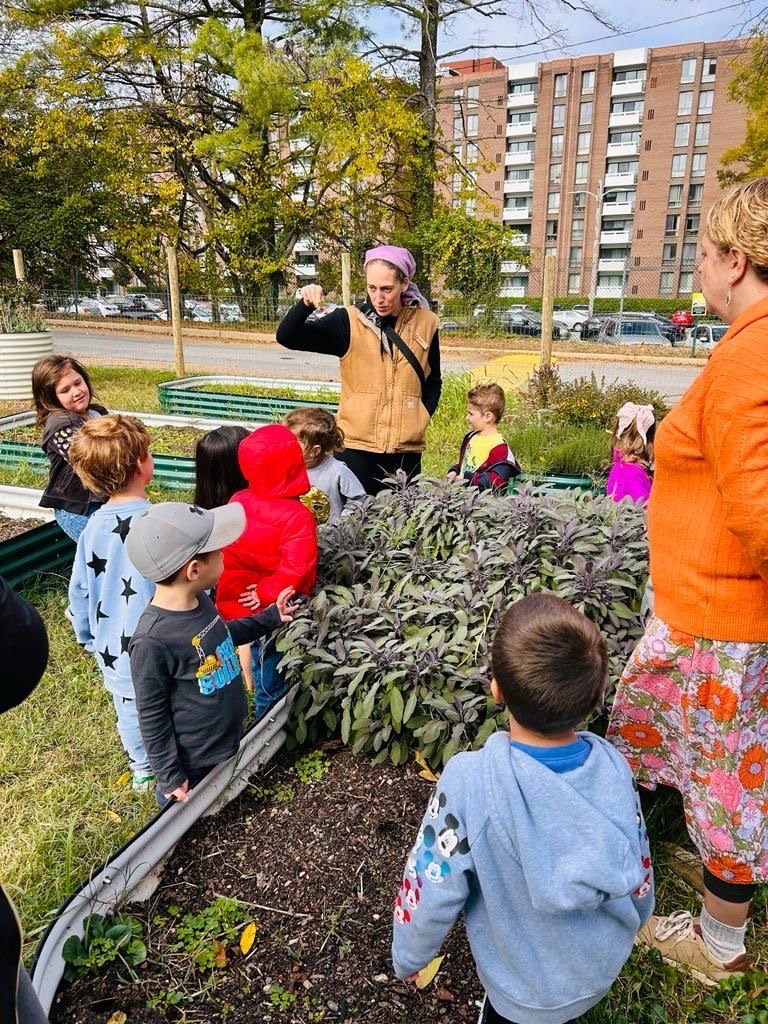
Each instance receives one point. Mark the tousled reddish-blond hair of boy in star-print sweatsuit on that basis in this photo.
(105, 452)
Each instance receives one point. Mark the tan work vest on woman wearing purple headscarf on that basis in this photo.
(381, 408)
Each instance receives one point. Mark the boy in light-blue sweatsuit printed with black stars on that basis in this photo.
(111, 455)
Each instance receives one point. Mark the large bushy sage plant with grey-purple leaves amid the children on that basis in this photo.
(393, 651)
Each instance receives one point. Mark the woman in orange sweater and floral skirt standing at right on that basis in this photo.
(692, 707)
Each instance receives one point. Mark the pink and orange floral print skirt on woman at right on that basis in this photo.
(694, 714)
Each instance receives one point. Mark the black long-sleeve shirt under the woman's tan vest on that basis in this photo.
(330, 335)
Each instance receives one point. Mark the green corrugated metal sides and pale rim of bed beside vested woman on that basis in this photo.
(188, 397)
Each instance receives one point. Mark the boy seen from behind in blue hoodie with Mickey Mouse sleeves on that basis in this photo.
(538, 838)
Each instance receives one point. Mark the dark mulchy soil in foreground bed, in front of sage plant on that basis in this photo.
(318, 866)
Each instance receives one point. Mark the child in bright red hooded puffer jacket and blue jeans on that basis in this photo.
(279, 546)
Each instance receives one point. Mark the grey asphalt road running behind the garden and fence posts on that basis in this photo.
(272, 361)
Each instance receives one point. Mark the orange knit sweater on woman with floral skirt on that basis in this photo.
(708, 515)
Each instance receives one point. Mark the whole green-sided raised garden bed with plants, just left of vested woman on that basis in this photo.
(249, 398)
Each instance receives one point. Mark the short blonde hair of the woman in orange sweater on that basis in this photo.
(740, 221)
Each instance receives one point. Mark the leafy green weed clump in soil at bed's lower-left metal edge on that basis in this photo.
(106, 941)
